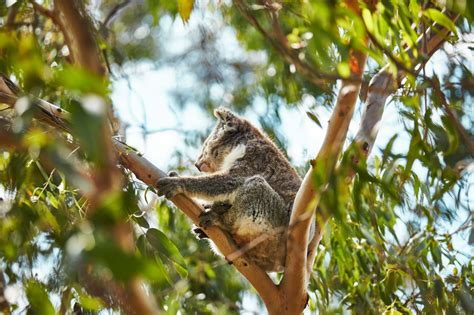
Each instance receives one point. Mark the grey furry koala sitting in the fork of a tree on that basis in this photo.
(251, 185)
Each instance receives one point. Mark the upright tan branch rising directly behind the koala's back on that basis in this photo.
(294, 283)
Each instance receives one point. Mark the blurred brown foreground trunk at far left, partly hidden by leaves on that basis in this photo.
(71, 18)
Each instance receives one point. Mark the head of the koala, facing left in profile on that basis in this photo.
(229, 132)
